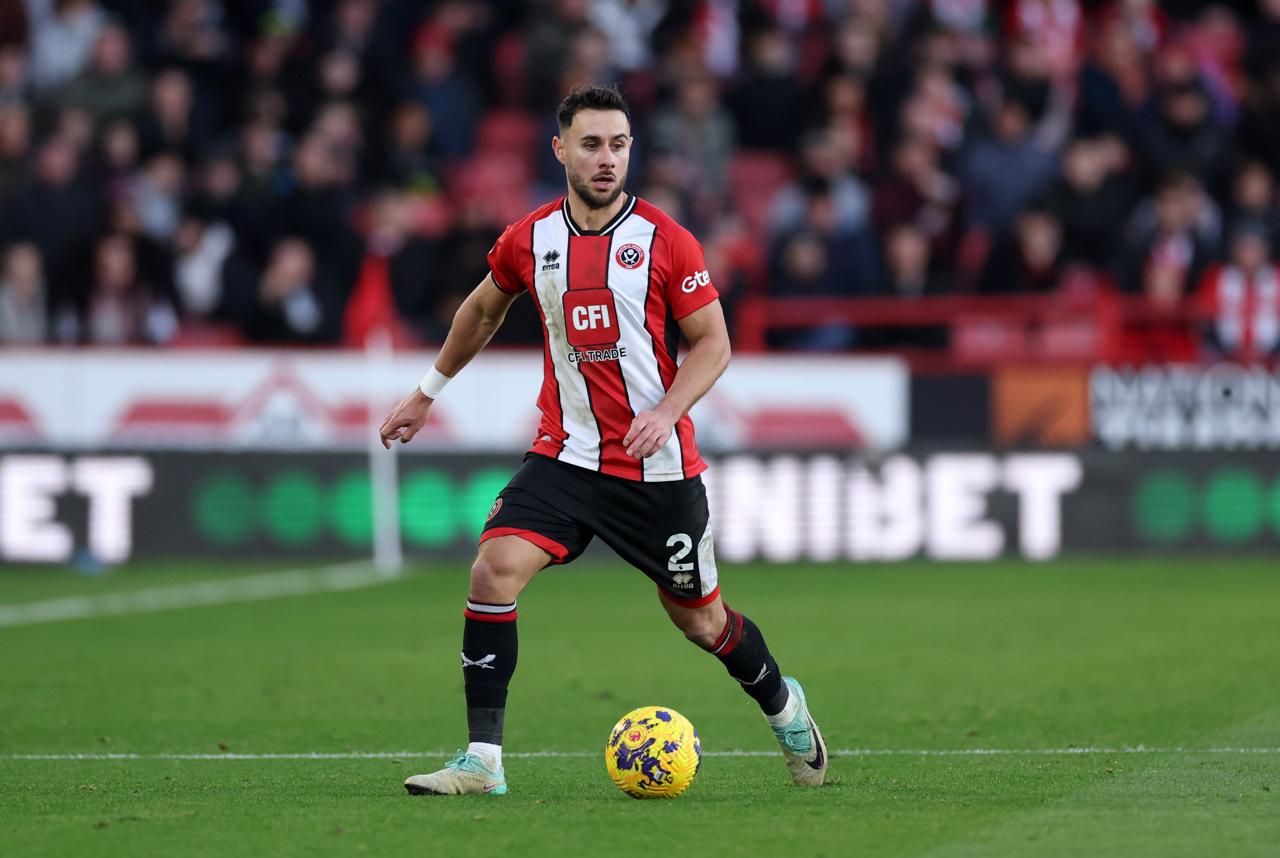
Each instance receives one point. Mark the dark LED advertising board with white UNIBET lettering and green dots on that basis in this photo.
(108, 508)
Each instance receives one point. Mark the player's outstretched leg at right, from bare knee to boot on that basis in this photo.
(740, 646)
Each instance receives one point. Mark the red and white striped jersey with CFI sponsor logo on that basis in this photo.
(609, 302)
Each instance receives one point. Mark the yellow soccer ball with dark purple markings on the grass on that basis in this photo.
(653, 752)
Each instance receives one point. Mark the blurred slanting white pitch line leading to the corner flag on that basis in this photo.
(253, 588)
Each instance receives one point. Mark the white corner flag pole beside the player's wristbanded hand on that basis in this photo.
(383, 471)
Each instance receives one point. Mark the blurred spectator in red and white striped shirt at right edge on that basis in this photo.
(1242, 299)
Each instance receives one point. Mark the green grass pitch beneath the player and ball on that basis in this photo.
(924, 665)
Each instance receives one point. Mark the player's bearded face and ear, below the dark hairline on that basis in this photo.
(596, 150)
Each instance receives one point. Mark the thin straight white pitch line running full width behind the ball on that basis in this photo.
(531, 755)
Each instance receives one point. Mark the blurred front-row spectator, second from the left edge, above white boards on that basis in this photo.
(124, 309)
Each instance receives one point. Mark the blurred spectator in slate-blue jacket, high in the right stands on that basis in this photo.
(1005, 170)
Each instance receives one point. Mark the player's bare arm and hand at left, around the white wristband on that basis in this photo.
(474, 326)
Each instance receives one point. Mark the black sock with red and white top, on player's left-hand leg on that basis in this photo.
(488, 663)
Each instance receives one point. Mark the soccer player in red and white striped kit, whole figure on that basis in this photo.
(616, 282)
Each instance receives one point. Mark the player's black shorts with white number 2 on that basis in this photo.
(660, 528)
